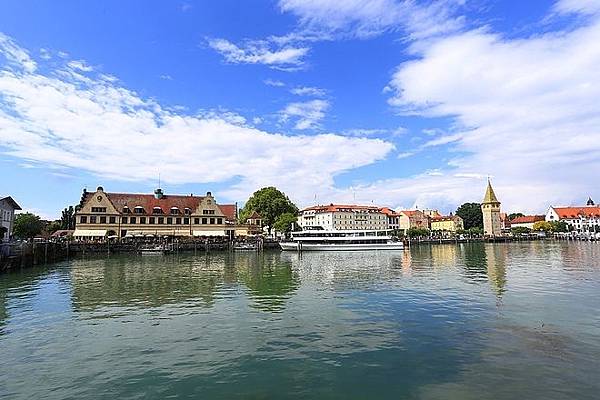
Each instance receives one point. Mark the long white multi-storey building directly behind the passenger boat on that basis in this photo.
(343, 217)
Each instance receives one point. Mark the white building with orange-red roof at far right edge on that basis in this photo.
(580, 219)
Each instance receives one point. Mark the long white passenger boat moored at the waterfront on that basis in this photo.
(336, 240)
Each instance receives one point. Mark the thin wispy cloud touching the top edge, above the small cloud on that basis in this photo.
(365, 18)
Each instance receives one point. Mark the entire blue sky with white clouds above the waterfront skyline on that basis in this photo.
(398, 103)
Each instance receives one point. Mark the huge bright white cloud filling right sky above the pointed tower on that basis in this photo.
(525, 111)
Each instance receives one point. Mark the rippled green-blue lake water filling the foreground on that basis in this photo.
(471, 321)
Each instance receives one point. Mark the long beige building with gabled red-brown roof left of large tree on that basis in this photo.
(123, 215)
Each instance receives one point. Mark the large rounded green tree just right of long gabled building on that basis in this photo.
(270, 203)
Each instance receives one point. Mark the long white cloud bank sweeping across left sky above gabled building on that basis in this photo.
(97, 126)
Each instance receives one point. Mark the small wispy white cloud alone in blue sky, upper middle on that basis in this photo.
(260, 52)
